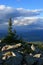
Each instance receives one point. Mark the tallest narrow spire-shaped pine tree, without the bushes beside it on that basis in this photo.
(10, 37)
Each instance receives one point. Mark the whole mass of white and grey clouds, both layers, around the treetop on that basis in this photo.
(20, 16)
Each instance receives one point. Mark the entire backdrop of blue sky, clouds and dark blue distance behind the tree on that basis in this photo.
(26, 15)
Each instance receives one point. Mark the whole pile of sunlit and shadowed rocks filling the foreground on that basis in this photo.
(14, 55)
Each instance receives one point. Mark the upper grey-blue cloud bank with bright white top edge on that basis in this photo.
(7, 12)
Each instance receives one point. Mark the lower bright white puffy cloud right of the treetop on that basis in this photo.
(20, 21)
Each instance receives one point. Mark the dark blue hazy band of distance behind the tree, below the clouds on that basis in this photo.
(28, 35)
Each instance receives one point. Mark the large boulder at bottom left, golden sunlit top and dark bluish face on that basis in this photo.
(11, 58)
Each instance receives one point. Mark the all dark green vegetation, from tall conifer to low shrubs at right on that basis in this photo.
(13, 38)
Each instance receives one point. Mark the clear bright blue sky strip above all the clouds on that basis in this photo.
(28, 4)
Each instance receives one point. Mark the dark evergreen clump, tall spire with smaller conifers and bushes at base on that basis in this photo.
(12, 36)
